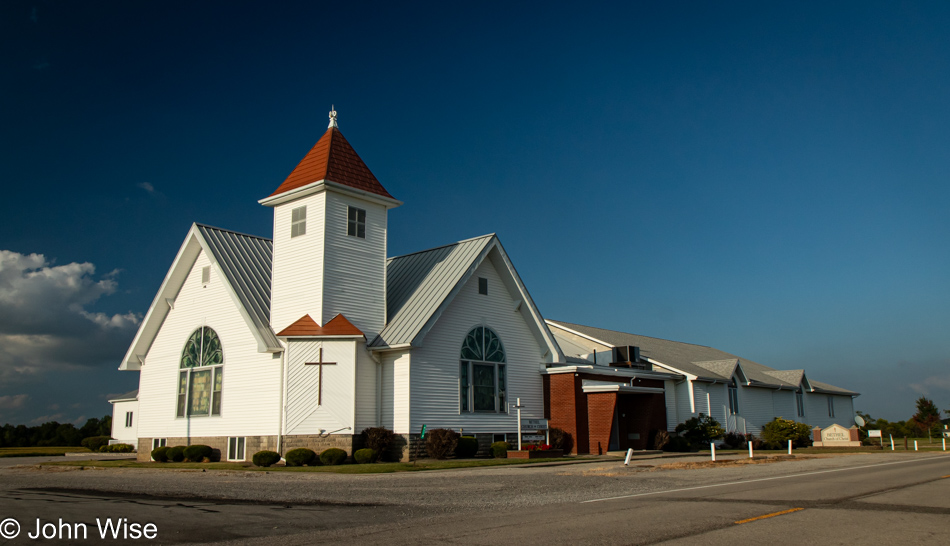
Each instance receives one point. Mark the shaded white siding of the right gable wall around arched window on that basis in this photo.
(434, 397)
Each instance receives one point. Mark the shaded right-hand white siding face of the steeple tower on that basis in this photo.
(354, 268)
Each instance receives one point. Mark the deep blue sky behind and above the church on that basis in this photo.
(770, 180)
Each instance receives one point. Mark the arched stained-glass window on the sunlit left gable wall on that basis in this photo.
(201, 375)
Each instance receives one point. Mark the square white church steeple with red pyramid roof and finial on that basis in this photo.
(329, 254)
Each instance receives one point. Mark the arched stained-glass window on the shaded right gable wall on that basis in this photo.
(483, 381)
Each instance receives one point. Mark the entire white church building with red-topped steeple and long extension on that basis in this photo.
(306, 339)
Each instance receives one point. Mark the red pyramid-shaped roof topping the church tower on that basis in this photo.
(332, 158)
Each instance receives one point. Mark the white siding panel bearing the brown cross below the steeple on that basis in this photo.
(304, 414)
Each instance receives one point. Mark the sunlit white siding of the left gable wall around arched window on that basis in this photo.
(251, 386)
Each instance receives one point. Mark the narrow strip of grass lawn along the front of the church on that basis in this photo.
(377, 468)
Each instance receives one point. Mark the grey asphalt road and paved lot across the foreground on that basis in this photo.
(837, 500)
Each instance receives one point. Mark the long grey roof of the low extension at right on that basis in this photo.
(694, 359)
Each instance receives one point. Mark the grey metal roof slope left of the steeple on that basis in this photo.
(246, 261)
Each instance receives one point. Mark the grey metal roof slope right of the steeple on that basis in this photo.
(418, 283)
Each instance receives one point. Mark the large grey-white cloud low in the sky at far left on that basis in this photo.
(44, 323)
